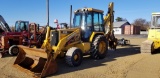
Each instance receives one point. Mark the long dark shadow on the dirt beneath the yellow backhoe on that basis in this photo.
(90, 63)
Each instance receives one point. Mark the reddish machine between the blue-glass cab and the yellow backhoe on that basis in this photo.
(35, 36)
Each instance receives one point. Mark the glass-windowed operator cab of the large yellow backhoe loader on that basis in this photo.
(89, 20)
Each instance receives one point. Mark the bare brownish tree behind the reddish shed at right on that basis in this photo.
(141, 22)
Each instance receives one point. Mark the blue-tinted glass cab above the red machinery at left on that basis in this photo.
(21, 26)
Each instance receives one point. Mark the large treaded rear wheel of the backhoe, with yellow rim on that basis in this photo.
(99, 47)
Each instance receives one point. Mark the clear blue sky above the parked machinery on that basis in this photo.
(36, 11)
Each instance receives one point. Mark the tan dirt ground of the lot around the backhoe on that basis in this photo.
(126, 62)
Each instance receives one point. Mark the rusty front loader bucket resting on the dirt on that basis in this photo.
(35, 62)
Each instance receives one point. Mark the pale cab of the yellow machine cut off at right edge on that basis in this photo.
(155, 20)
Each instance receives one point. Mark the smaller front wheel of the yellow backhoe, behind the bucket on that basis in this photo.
(74, 57)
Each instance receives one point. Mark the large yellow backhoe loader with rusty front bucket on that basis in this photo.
(88, 36)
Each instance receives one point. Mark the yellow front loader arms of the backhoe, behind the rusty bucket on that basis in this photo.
(61, 44)
